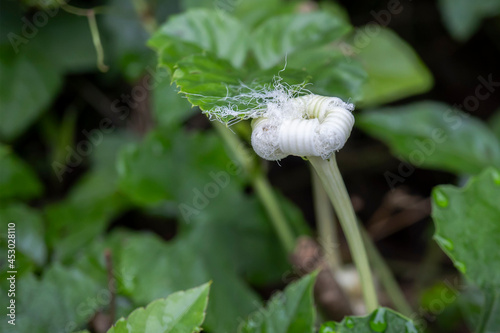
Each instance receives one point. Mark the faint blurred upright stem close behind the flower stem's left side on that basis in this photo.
(326, 223)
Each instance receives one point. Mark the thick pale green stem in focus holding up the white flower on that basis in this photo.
(333, 183)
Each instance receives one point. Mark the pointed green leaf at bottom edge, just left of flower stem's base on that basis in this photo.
(289, 312)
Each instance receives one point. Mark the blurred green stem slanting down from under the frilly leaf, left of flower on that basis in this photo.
(261, 185)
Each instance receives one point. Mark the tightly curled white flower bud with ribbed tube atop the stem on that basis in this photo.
(317, 126)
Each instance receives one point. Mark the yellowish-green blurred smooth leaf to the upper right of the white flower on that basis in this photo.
(394, 69)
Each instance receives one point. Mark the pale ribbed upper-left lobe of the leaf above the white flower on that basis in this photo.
(211, 30)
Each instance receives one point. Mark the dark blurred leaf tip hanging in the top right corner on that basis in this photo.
(463, 17)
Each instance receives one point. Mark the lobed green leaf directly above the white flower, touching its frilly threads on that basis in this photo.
(210, 78)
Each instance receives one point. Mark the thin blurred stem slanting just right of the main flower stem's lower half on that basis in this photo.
(386, 277)
